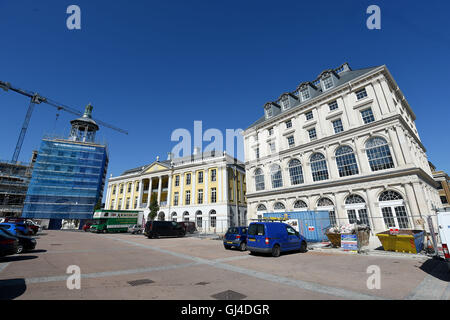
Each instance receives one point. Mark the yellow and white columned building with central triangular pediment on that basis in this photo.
(208, 188)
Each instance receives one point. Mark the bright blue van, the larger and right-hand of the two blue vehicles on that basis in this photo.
(274, 238)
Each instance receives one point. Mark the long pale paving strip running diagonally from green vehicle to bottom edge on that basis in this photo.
(305, 285)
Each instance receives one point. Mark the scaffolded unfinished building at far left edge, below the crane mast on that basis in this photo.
(14, 180)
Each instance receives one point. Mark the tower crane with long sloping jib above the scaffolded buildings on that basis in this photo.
(35, 99)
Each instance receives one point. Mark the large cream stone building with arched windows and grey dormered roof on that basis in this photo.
(345, 142)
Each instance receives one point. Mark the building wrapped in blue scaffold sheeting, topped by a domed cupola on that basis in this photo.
(68, 176)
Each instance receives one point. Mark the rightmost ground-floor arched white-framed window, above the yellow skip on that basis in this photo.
(393, 210)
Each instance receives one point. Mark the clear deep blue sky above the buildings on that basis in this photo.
(153, 66)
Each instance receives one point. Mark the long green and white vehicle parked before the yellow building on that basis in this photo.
(115, 220)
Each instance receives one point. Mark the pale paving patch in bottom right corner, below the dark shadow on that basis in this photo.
(432, 288)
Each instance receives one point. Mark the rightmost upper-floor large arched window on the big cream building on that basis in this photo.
(379, 154)
